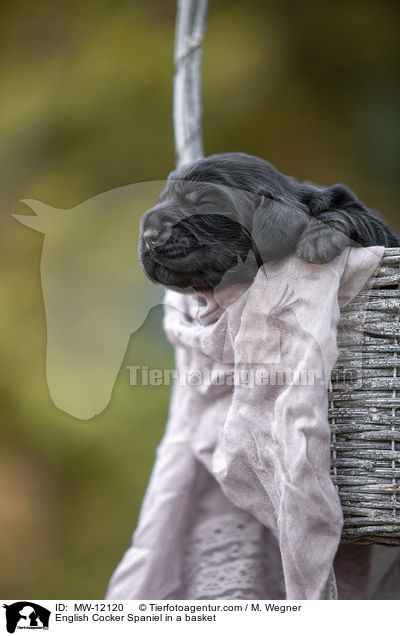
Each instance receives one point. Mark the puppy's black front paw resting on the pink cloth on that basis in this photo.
(320, 243)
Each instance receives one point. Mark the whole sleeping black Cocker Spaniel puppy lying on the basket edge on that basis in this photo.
(228, 209)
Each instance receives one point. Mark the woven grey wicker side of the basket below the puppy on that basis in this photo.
(364, 410)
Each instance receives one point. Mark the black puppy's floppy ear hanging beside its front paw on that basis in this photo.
(277, 226)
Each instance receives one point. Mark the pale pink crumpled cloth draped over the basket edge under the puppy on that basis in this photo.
(256, 418)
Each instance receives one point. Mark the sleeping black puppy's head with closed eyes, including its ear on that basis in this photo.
(219, 219)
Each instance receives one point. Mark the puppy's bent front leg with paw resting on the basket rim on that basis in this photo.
(338, 220)
